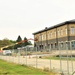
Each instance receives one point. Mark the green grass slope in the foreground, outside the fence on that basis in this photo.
(7, 68)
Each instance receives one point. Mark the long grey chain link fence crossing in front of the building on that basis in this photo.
(61, 61)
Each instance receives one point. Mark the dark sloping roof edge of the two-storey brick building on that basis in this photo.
(55, 26)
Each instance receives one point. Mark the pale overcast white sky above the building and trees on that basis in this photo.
(24, 17)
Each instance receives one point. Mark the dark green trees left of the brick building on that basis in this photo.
(12, 44)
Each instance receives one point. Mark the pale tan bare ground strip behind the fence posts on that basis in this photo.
(42, 63)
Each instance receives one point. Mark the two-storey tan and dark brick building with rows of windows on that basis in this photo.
(61, 36)
